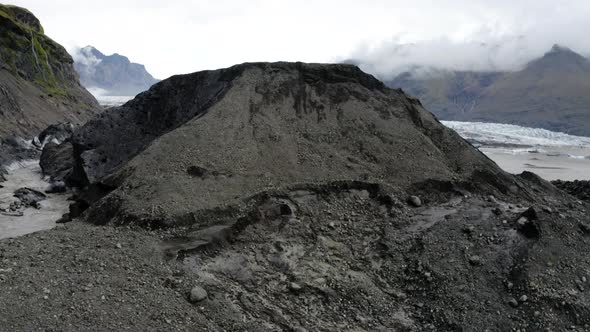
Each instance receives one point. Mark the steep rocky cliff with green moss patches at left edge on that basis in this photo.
(38, 83)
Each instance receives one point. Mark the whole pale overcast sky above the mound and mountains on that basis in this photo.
(174, 36)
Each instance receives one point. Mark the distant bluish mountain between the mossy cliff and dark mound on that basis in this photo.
(112, 75)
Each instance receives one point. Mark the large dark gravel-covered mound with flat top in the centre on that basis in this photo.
(203, 140)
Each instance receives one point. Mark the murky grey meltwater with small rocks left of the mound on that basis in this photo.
(28, 174)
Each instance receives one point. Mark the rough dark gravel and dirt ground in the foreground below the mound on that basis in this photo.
(344, 259)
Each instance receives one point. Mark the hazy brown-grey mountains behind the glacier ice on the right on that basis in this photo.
(552, 92)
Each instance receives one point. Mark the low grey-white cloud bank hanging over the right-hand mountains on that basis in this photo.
(504, 41)
